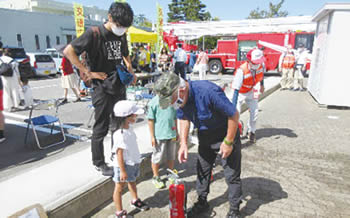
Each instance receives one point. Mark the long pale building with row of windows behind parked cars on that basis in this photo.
(36, 31)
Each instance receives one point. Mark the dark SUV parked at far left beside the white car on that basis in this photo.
(22, 58)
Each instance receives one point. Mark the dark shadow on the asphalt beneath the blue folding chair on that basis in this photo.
(14, 152)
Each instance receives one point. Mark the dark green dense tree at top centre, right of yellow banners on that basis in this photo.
(187, 10)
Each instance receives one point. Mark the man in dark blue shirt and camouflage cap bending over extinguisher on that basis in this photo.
(205, 105)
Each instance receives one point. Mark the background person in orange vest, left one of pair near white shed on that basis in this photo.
(286, 66)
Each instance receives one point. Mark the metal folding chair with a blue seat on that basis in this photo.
(44, 120)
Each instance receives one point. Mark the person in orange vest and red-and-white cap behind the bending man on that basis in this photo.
(249, 74)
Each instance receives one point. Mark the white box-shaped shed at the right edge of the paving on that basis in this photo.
(329, 77)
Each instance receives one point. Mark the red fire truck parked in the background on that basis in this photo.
(230, 54)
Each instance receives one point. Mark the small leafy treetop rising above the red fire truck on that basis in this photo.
(273, 11)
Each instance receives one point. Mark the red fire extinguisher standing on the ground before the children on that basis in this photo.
(177, 197)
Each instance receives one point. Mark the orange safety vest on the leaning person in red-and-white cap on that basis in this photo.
(248, 80)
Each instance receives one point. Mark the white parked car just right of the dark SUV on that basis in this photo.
(42, 64)
